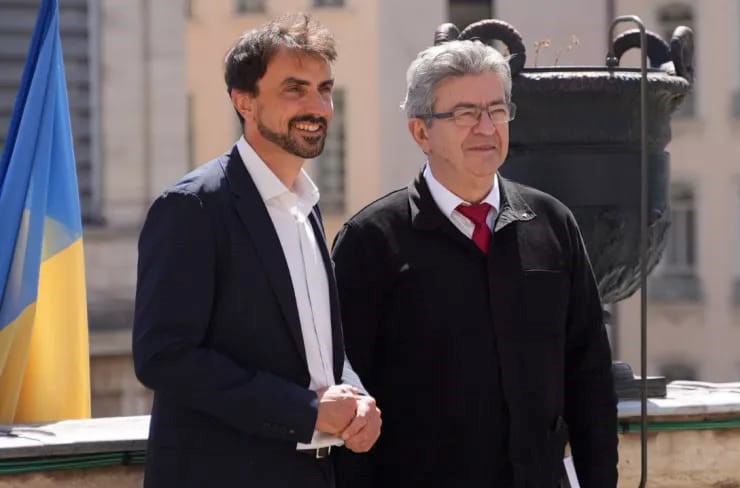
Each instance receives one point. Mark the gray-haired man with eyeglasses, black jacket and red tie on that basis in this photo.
(469, 306)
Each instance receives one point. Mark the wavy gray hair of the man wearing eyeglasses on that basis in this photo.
(454, 58)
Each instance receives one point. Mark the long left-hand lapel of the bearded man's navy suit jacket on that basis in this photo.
(258, 225)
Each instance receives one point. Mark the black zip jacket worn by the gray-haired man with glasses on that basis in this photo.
(429, 320)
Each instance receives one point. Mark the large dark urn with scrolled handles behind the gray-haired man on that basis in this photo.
(577, 136)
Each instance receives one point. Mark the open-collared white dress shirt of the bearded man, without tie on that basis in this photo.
(289, 210)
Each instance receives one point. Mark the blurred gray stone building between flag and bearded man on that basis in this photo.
(125, 67)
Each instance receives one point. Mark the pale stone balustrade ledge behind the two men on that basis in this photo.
(693, 442)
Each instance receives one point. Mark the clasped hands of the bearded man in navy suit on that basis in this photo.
(345, 413)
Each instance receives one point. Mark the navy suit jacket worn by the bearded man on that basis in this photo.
(218, 338)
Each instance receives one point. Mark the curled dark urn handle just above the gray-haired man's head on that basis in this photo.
(486, 31)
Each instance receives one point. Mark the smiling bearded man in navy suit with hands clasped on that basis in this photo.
(237, 327)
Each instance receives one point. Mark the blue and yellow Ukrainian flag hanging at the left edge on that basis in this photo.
(44, 358)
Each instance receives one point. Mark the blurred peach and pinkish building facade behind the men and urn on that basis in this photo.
(694, 313)
